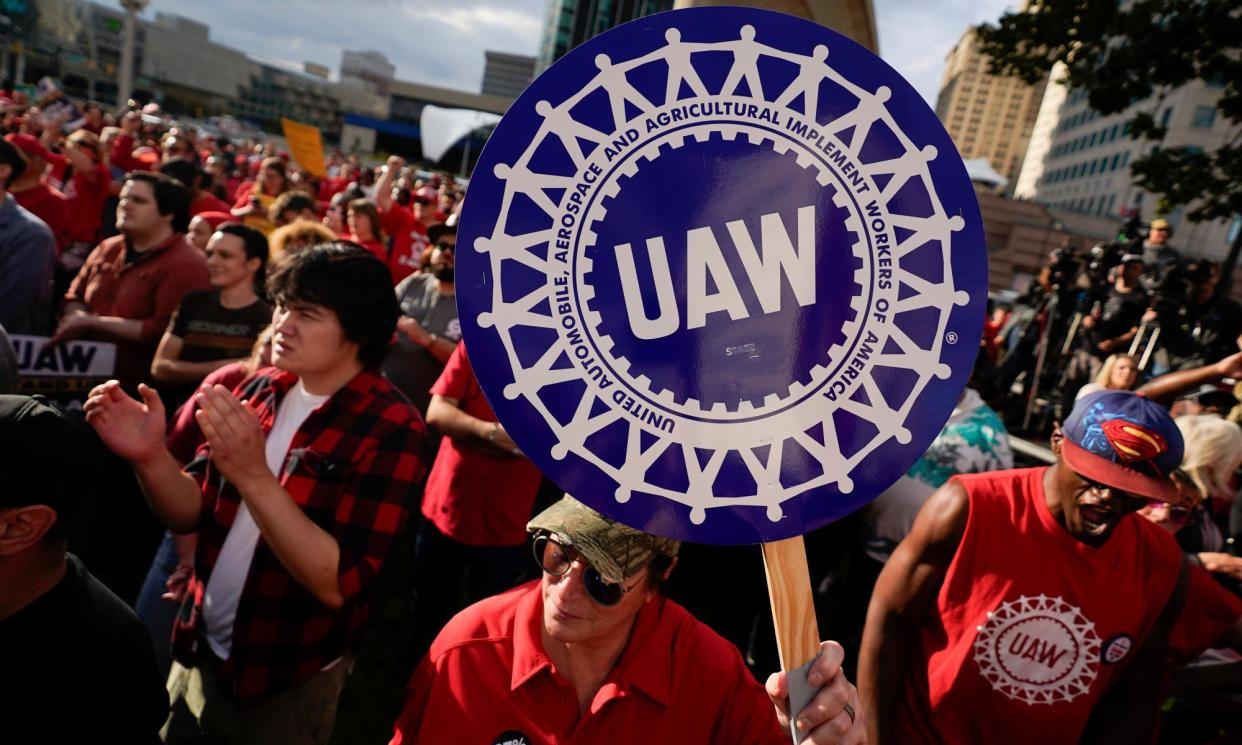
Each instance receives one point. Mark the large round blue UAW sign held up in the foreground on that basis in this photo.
(722, 275)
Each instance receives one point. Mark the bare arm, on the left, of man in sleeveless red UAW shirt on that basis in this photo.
(905, 593)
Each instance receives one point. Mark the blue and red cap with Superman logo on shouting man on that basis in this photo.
(1123, 441)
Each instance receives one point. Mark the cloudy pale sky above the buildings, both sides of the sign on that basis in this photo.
(442, 43)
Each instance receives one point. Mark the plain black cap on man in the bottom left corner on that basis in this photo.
(49, 458)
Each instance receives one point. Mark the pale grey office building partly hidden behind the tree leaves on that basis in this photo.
(1084, 166)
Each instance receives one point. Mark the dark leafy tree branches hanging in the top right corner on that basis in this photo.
(1120, 54)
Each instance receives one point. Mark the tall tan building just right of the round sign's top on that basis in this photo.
(987, 116)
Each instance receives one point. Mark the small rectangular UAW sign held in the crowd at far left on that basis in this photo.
(65, 373)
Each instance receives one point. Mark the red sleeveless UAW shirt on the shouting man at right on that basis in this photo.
(1031, 626)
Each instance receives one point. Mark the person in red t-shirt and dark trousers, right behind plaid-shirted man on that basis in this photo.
(476, 505)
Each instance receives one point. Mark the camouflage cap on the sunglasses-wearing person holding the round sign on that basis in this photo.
(615, 549)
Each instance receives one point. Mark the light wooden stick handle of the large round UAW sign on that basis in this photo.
(798, 634)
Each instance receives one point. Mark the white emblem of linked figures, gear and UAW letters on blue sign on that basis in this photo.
(763, 428)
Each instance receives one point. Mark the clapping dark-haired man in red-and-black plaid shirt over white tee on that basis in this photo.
(309, 472)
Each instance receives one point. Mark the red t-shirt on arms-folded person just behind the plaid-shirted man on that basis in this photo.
(474, 497)
